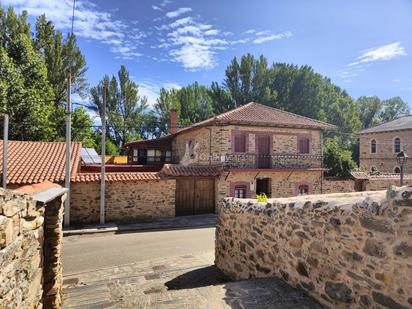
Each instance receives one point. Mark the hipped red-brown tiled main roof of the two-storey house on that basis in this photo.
(262, 115)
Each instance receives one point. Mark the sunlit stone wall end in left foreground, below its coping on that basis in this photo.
(30, 246)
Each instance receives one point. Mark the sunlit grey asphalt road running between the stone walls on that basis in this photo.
(96, 251)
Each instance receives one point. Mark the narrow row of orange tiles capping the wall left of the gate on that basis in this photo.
(113, 177)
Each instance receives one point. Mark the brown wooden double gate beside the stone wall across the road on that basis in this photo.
(194, 196)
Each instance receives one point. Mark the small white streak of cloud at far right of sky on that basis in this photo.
(385, 52)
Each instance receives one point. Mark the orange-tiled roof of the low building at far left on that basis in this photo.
(35, 162)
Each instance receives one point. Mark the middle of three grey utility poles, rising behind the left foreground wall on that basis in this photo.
(68, 149)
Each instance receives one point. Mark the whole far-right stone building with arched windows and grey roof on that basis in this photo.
(380, 144)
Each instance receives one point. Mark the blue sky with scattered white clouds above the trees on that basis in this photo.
(364, 46)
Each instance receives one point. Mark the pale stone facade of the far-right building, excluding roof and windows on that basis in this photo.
(385, 158)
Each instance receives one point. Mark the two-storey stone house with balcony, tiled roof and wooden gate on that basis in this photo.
(250, 150)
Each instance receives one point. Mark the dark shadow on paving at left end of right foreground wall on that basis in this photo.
(201, 277)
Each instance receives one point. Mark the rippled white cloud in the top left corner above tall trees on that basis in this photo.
(89, 23)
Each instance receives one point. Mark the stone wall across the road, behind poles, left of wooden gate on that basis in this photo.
(125, 200)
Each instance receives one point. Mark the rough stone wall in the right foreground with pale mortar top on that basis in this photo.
(346, 250)
